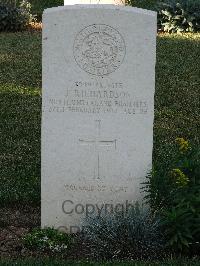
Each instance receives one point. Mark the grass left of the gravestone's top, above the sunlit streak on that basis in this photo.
(20, 59)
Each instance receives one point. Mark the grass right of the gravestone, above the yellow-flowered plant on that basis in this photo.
(177, 101)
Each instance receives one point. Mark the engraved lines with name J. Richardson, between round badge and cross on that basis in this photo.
(85, 97)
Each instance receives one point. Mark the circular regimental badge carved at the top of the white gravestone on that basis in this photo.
(99, 49)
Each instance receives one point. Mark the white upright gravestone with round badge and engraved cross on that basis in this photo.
(98, 110)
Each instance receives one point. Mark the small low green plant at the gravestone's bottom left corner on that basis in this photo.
(47, 239)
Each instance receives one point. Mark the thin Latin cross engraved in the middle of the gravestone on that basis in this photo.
(97, 142)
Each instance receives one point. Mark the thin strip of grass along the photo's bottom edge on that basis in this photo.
(41, 262)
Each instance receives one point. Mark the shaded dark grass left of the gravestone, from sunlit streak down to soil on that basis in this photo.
(20, 116)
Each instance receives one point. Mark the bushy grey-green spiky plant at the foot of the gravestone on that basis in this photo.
(134, 235)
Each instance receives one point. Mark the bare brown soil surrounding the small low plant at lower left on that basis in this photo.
(18, 220)
